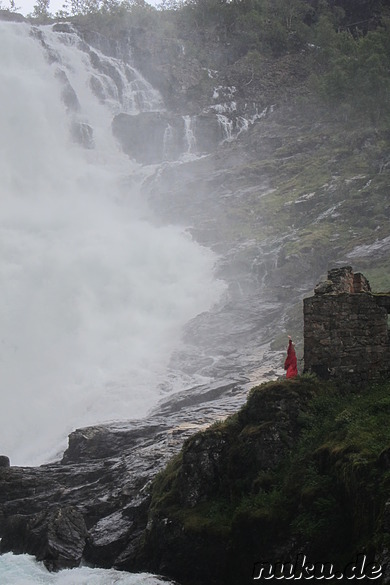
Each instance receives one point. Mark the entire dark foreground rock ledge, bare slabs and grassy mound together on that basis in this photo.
(292, 472)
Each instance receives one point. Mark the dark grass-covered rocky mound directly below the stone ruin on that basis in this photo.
(303, 467)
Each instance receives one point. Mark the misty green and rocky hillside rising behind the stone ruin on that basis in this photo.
(289, 110)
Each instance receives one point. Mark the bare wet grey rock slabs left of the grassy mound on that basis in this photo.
(94, 503)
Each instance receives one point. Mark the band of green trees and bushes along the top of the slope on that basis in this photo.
(345, 45)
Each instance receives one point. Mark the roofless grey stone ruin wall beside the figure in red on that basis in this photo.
(346, 331)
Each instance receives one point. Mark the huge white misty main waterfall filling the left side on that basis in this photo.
(93, 297)
